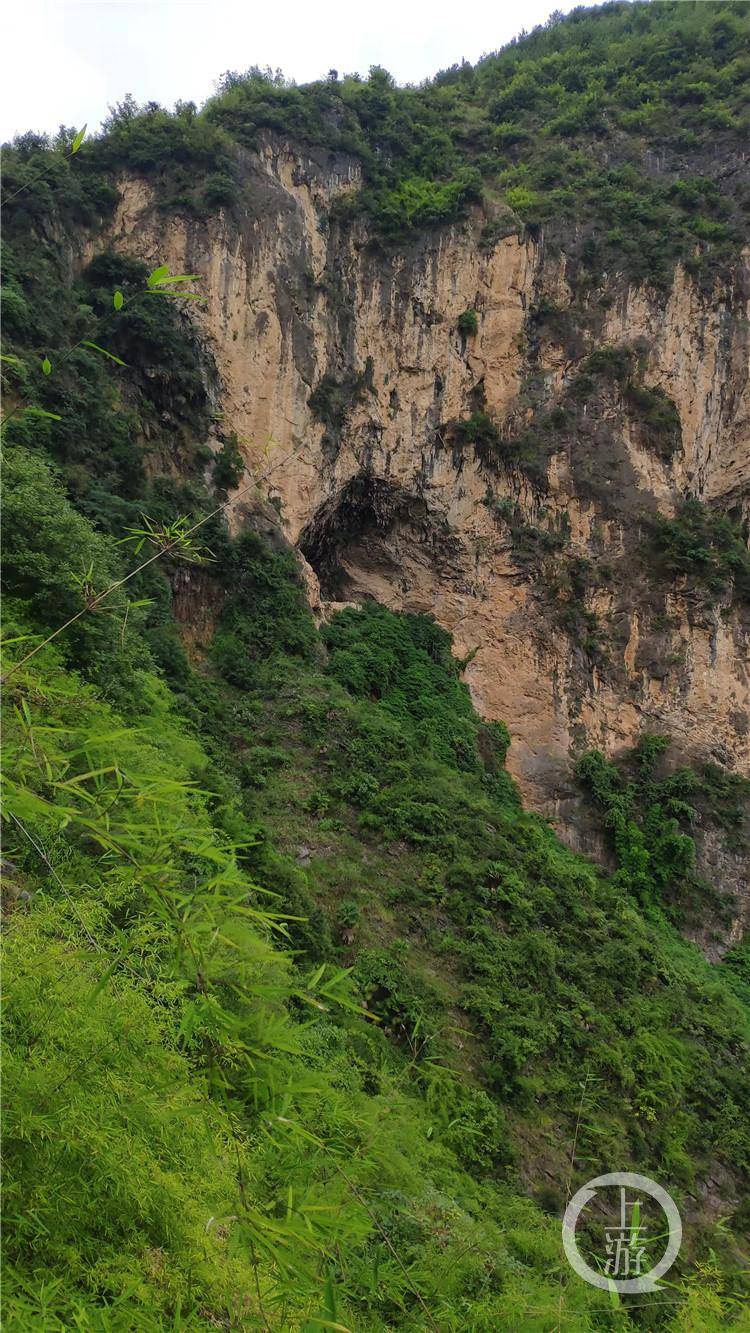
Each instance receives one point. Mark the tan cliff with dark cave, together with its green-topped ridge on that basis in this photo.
(491, 419)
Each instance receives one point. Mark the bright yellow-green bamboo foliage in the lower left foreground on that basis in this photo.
(230, 1124)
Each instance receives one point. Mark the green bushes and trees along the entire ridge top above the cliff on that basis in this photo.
(608, 127)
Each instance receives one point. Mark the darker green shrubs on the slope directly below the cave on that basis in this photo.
(516, 922)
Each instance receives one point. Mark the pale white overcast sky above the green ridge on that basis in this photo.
(66, 62)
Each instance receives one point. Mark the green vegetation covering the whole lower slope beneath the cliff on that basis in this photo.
(146, 991)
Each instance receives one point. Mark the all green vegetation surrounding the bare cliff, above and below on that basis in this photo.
(308, 1023)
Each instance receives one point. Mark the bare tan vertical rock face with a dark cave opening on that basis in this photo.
(344, 373)
